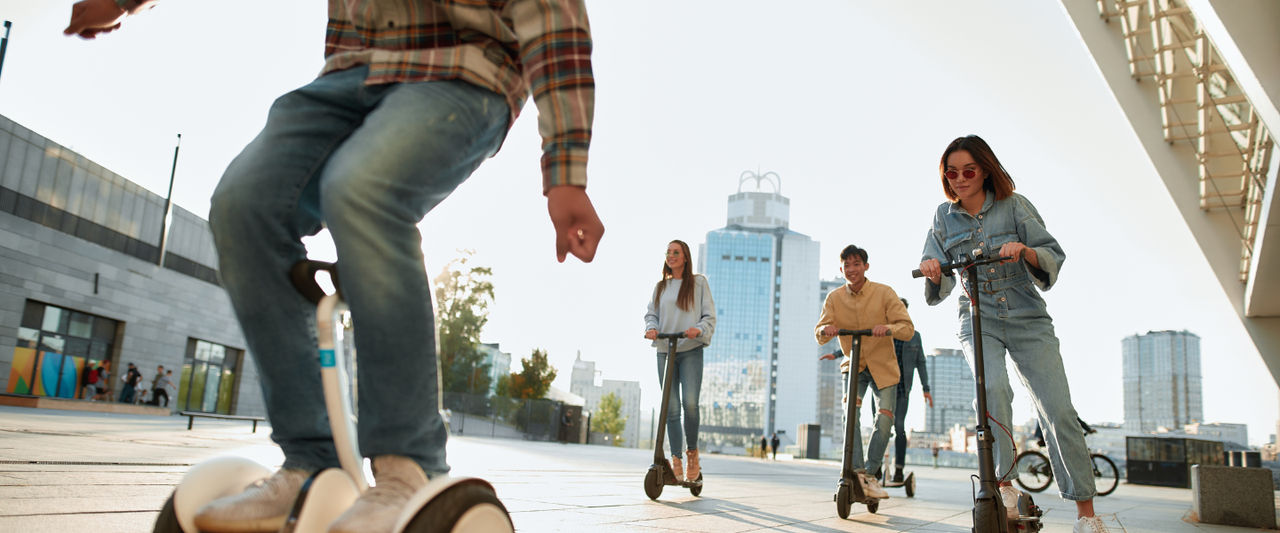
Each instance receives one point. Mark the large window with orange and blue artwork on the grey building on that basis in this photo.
(56, 347)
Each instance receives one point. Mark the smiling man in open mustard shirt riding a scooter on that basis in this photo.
(862, 304)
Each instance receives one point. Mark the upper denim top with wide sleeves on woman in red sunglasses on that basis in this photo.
(1007, 290)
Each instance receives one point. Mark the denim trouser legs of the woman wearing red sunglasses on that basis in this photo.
(1034, 348)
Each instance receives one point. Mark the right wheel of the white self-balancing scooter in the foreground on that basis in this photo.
(463, 509)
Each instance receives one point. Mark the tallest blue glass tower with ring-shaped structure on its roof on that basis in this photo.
(760, 373)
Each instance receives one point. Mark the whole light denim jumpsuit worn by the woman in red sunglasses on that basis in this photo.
(1014, 321)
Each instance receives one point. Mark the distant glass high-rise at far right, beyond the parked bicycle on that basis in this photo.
(1162, 381)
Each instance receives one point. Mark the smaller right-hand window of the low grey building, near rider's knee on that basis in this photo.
(208, 380)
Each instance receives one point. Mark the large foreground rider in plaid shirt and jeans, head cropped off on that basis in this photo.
(413, 98)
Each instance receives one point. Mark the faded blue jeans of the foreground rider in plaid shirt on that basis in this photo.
(367, 162)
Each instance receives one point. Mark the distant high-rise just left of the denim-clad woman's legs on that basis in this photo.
(953, 389)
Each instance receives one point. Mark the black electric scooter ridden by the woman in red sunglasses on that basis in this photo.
(989, 508)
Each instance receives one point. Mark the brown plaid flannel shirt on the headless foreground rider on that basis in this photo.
(510, 47)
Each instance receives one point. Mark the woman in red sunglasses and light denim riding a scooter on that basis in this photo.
(984, 213)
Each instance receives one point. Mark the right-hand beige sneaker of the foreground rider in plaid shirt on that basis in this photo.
(377, 511)
